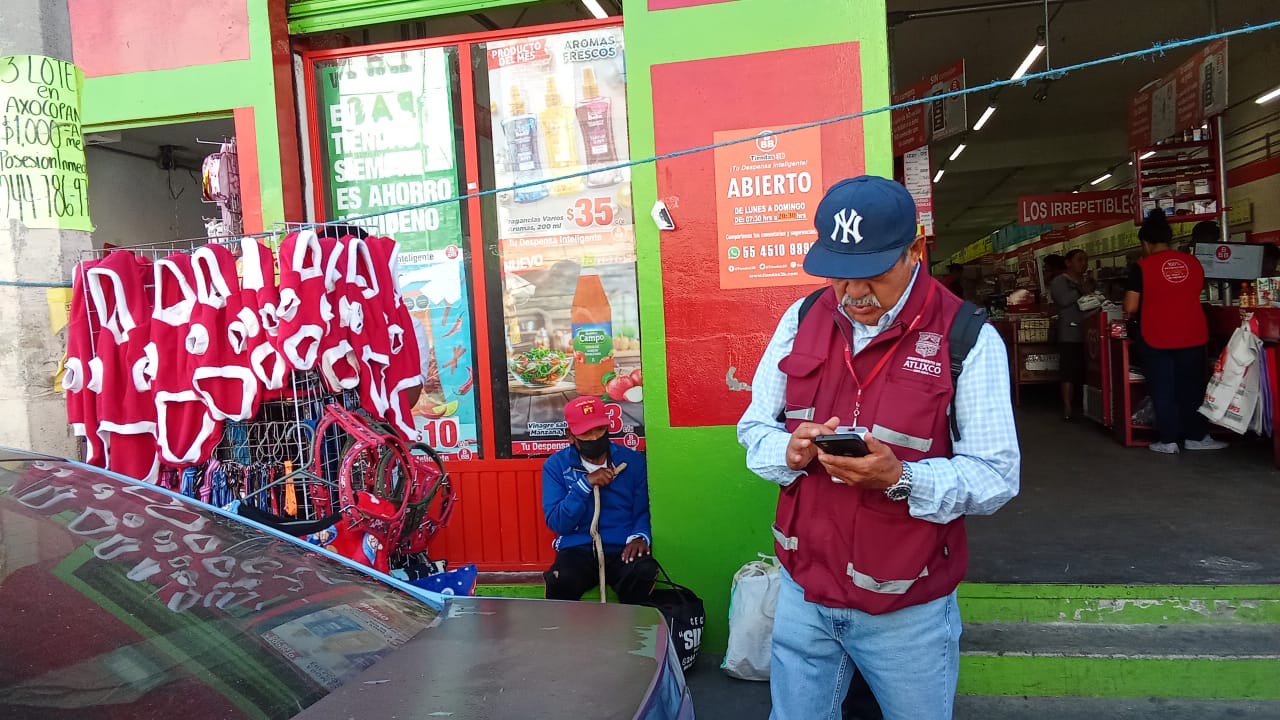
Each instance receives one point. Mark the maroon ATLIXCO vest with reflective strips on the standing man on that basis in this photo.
(849, 548)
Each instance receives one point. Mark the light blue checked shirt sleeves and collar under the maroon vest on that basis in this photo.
(979, 480)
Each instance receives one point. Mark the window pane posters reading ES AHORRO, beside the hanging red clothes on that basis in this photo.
(387, 127)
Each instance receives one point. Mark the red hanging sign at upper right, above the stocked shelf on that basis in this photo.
(1182, 101)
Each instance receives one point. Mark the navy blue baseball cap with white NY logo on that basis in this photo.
(863, 226)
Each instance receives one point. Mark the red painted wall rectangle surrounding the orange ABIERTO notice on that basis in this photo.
(715, 338)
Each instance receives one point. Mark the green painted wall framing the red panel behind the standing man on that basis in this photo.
(710, 514)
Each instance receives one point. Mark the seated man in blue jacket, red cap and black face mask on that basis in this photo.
(621, 475)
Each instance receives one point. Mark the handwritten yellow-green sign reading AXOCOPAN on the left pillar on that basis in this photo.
(44, 183)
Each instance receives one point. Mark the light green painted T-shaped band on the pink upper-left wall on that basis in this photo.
(199, 93)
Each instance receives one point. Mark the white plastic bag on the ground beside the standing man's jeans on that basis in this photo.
(751, 619)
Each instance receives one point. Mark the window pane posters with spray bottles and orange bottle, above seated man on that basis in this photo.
(566, 234)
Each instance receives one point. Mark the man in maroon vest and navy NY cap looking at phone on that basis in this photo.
(874, 548)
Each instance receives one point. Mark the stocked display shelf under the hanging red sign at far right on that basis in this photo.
(1178, 163)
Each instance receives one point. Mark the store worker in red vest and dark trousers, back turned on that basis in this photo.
(1164, 291)
